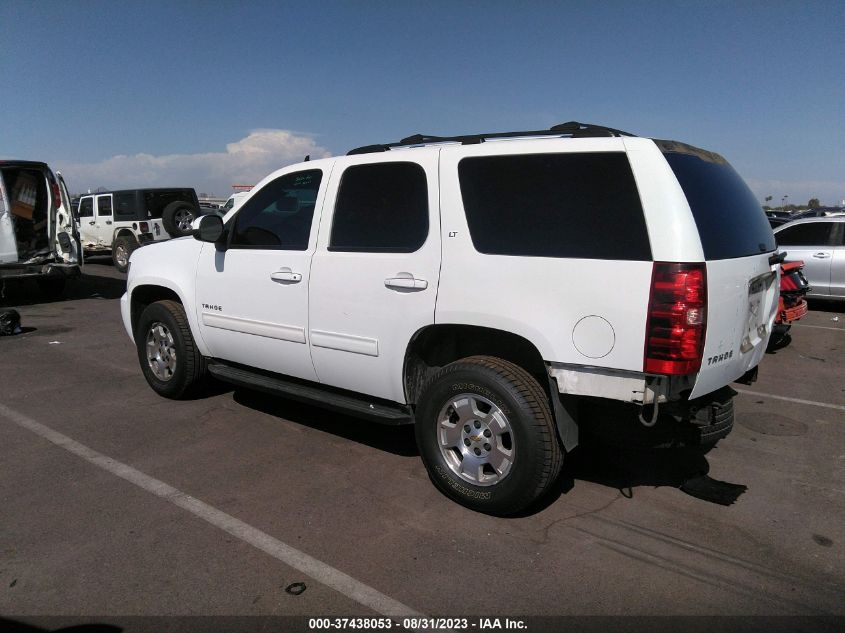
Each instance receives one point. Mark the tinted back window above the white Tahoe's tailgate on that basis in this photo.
(730, 220)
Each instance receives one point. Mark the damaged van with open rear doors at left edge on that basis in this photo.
(39, 238)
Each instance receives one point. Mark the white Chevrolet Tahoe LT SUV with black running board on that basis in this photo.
(489, 289)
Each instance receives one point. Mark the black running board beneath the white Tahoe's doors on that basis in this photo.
(383, 413)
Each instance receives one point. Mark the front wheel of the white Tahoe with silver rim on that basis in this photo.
(170, 360)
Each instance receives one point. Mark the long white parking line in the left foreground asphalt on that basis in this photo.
(318, 570)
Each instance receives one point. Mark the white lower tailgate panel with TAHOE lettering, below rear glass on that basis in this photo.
(742, 301)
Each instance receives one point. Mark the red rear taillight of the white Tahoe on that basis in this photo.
(677, 319)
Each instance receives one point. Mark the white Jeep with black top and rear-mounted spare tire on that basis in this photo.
(118, 222)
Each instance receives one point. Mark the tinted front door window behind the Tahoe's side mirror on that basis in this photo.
(279, 216)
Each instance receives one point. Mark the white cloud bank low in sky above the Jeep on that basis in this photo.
(243, 162)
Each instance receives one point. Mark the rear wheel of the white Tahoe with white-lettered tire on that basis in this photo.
(487, 436)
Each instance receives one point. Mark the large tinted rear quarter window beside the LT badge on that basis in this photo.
(554, 205)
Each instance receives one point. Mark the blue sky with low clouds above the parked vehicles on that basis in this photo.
(207, 94)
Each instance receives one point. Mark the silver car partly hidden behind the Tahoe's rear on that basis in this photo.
(820, 244)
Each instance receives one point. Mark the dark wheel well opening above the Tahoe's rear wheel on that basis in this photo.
(438, 345)
